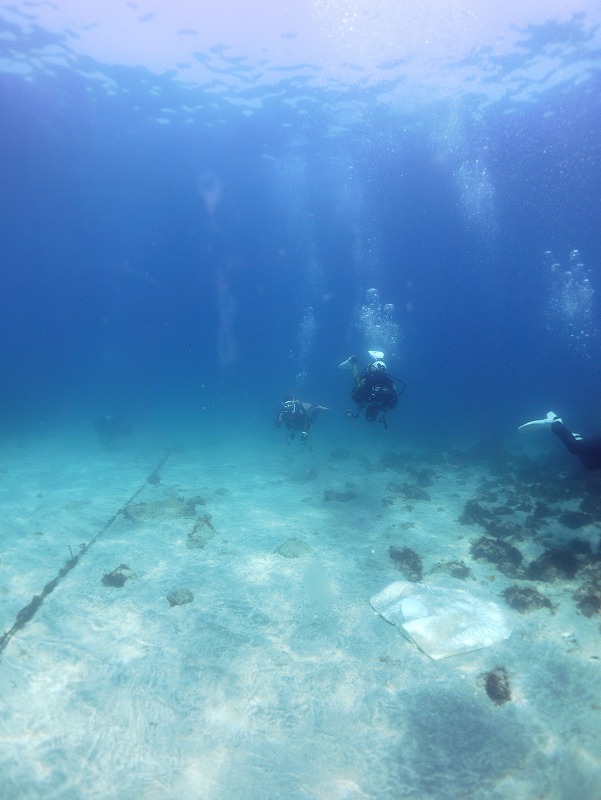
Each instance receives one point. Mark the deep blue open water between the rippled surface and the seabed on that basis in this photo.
(123, 285)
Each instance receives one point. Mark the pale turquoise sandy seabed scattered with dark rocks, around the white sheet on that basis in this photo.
(240, 657)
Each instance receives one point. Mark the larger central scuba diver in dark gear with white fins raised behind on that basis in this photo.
(373, 389)
